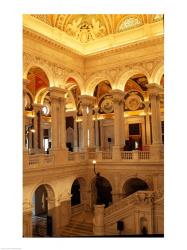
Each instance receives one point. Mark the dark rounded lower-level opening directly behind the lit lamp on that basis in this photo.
(101, 190)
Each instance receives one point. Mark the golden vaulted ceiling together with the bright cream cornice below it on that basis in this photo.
(90, 34)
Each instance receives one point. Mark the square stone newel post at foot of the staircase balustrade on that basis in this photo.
(98, 220)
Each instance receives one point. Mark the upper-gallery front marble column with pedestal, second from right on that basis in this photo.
(119, 138)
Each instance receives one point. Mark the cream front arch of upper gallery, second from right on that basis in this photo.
(125, 75)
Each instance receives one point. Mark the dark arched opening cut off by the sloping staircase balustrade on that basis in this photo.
(133, 185)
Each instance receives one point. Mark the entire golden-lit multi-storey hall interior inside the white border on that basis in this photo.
(93, 125)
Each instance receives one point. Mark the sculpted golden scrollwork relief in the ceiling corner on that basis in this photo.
(85, 31)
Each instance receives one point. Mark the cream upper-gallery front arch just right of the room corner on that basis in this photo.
(94, 80)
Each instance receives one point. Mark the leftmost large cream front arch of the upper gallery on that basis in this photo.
(45, 68)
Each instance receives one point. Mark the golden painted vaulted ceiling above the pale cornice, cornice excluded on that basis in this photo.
(86, 28)
